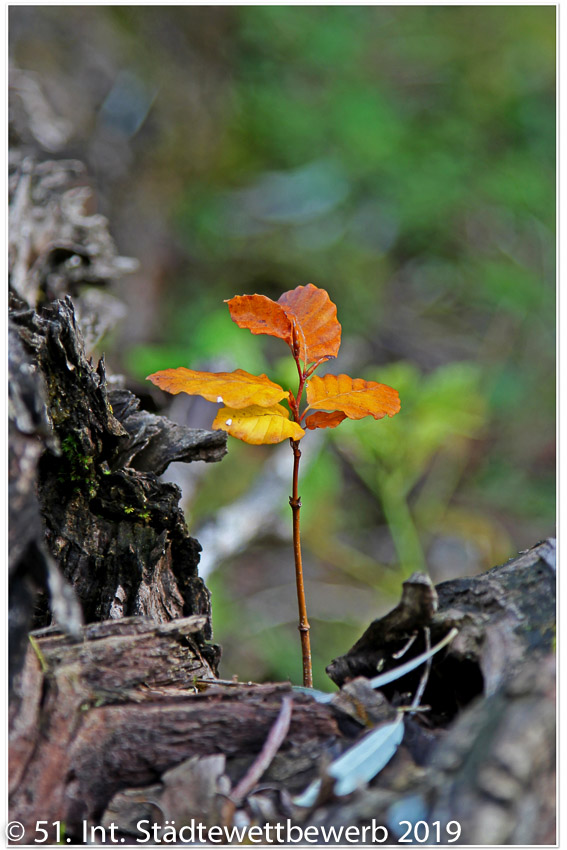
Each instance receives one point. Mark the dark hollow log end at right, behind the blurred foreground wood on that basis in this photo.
(503, 616)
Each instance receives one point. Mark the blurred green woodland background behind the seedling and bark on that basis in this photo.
(404, 159)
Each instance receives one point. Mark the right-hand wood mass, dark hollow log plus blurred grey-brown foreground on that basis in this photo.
(484, 755)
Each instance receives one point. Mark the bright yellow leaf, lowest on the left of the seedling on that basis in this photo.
(258, 425)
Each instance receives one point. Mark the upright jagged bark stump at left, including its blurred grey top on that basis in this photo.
(91, 526)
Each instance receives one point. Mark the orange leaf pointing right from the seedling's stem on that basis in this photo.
(354, 396)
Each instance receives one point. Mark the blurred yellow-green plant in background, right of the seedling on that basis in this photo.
(445, 410)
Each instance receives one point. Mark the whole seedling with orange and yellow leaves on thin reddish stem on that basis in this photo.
(306, 319)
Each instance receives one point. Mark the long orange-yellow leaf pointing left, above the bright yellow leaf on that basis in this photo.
(237, 389)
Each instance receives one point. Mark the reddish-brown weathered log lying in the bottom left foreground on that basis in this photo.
(124, 705)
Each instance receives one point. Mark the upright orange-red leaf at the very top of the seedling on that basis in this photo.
(315, 318)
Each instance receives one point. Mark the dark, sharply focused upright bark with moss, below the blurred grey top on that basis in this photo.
(103, 516)
